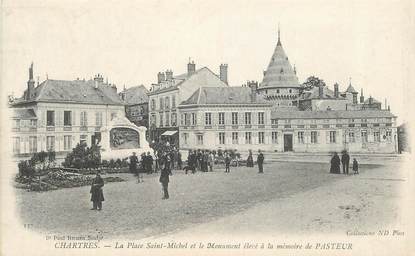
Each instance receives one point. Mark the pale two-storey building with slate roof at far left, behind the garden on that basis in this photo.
(58, 114)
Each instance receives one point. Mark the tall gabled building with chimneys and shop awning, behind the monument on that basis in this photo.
(166, 95)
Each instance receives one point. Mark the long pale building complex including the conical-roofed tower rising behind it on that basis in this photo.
(296, 118)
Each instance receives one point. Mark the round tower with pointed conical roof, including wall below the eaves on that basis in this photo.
(280, 83)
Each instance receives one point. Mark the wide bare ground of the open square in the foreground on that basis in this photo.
(241, 200)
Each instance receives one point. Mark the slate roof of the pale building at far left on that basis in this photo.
(77, 91)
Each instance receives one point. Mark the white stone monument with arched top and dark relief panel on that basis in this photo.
(121, 138)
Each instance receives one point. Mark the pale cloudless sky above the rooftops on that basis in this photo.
(131, 41)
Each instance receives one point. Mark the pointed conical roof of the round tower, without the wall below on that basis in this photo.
(279, 73)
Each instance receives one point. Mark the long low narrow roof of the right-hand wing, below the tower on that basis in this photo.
(330, 114)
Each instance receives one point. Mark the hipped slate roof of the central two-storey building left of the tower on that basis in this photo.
(223, 95)
